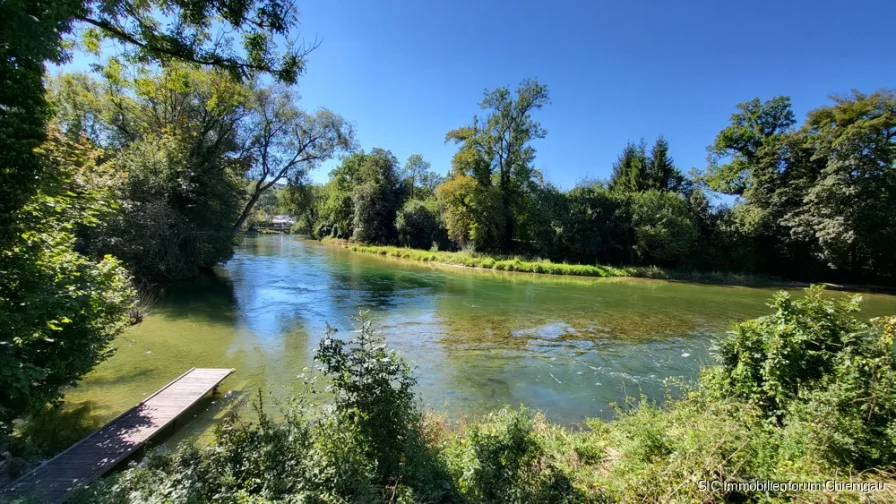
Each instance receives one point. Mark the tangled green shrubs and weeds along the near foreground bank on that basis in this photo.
(764, 412)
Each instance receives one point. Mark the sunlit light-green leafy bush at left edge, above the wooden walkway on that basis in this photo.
(59, 310)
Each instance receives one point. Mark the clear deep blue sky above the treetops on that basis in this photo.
(407, 72)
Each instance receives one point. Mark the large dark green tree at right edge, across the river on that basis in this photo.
(848, 202)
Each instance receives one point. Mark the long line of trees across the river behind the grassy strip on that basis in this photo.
(812, 203)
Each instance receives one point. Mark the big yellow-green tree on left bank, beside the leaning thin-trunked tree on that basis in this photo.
(178, 136)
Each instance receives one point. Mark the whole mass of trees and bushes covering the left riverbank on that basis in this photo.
(137, 176)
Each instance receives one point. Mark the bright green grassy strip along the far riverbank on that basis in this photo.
(545, 266)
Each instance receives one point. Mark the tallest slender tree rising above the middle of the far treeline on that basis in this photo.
(497, 147)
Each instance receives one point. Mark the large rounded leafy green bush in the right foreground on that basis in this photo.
(827, 377)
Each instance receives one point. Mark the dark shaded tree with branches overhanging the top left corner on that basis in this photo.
(198, 32)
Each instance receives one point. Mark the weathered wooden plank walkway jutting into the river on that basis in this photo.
(96, 454)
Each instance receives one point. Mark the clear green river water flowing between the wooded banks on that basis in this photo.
(567, 346)
